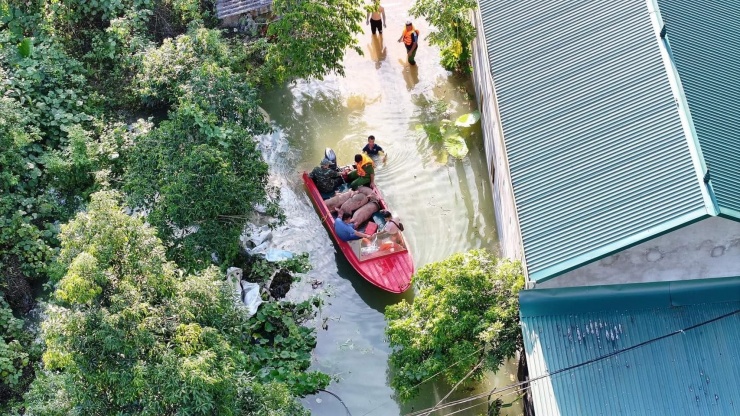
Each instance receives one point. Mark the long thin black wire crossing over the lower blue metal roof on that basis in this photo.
(526, 384)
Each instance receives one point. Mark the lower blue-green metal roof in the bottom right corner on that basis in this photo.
(694, 372)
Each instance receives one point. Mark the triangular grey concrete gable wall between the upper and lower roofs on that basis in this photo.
(706, 249)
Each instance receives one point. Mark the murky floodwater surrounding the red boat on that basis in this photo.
(445, 205)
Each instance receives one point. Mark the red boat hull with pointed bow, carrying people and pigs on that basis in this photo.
(386, 264)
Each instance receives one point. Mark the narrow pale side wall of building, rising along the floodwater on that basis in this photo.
(507, 222)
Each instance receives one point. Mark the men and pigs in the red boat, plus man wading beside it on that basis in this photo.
(359, 204)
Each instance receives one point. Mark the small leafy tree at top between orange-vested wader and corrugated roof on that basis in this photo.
(454, 32)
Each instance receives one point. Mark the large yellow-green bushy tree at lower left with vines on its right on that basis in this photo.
(130, 333)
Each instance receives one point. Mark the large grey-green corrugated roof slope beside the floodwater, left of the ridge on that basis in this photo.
(597, 154)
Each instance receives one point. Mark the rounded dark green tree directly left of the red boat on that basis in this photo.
(190, 172)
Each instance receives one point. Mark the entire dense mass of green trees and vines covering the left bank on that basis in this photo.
(145, 104)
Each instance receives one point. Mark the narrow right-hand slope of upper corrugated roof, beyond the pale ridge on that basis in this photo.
(705, 42)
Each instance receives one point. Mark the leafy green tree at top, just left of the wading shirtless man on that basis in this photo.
(310, 37)
